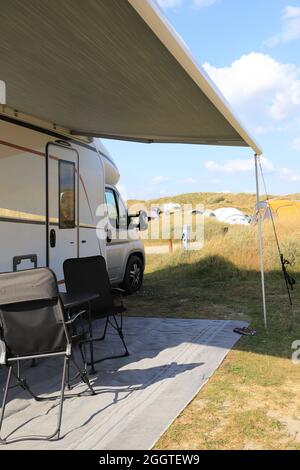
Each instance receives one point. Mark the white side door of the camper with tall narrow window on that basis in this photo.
(62, 206)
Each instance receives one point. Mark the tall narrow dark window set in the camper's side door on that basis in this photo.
(66, 194)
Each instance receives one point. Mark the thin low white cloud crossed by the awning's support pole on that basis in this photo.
(237, 166)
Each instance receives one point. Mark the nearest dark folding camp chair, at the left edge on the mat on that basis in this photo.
(33, 326)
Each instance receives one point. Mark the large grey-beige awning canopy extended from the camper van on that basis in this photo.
(110, 68)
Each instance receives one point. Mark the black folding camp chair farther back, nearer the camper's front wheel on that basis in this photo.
(89, 274)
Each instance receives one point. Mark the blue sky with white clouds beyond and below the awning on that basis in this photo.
(250, 48)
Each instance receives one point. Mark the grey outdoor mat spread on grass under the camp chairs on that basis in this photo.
(138, 397)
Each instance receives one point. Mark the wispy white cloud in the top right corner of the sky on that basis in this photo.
(290, 27)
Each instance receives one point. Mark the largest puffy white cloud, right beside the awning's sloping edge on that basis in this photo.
(263, 91)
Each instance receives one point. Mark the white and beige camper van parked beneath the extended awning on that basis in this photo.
(52, 185)
